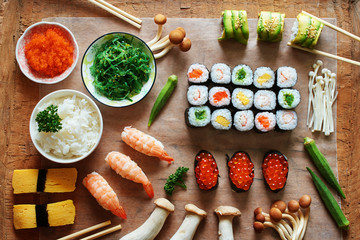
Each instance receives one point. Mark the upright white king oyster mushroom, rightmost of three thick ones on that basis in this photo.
(226, 215)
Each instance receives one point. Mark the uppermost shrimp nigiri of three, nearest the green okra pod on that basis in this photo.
(145, 143)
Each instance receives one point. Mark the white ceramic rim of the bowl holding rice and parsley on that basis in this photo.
(33, 125)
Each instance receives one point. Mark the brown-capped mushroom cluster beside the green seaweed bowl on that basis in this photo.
(160, 47)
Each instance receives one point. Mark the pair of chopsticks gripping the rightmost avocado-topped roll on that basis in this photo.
(318, 52)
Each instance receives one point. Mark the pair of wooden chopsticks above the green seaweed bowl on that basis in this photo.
(136, 22)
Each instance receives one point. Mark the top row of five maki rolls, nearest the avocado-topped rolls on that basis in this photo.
(242, 75)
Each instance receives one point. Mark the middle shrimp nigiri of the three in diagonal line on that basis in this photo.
(128, 169)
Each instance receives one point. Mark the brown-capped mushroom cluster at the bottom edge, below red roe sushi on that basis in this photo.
(289, 221)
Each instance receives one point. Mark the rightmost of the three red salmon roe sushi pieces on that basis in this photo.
(275, 169)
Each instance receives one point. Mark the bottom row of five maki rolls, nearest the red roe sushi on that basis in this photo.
(243, 121)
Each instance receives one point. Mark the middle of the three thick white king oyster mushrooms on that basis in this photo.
(191, 222)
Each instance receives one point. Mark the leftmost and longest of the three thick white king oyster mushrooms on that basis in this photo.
(152, 226)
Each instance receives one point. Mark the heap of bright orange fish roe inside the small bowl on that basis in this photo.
(50, 53)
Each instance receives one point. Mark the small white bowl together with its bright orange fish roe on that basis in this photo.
(47, 52)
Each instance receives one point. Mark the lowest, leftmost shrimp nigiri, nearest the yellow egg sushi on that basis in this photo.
(104, 194)
